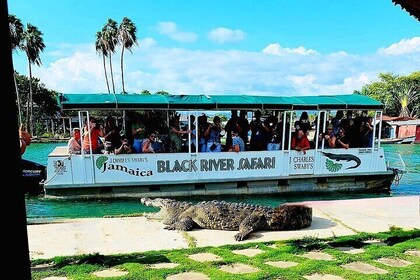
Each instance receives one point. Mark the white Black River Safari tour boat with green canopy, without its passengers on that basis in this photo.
(191, 173)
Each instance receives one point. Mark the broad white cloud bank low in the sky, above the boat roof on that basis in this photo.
(179, 70)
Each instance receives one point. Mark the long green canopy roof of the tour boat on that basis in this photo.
(84, 101)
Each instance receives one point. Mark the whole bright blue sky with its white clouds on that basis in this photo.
(299, 47)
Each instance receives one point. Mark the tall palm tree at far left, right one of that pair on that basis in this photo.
(33, 45)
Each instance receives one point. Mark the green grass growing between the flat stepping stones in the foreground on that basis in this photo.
(137, 265)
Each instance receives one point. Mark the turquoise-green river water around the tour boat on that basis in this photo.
(41, 208)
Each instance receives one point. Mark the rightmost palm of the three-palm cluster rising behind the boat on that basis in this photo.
(127, 37)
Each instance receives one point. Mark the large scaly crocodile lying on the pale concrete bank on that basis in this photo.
(222, 215)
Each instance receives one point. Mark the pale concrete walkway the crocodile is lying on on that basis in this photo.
(137, 234)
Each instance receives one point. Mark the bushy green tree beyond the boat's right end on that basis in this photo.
(400, 94)
